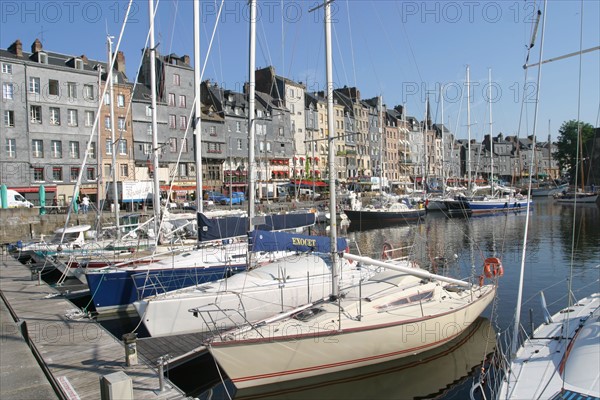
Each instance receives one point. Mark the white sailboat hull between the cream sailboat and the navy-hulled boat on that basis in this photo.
(245, 297)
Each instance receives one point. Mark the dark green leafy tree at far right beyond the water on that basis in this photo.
(568, 147)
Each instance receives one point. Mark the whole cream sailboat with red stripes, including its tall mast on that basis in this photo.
(398, 312)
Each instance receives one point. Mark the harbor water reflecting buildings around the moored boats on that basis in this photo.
(557, 258)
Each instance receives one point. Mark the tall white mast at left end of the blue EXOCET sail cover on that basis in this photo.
(251, 106)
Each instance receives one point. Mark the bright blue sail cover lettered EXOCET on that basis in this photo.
(282, 241)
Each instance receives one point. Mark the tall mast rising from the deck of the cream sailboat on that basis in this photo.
(330, 154)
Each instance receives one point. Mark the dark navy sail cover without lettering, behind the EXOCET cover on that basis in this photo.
(228, 227)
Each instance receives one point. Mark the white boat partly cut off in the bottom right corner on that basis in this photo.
(544, 366)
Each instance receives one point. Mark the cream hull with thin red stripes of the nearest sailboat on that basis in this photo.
(295, 349)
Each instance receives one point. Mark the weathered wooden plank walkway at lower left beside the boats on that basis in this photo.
(76, 352)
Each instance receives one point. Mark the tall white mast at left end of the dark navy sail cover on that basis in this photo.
(197, 109)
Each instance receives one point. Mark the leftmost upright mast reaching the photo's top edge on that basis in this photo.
(156, 199)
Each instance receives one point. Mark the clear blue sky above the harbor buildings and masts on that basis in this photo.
(402, 50)
